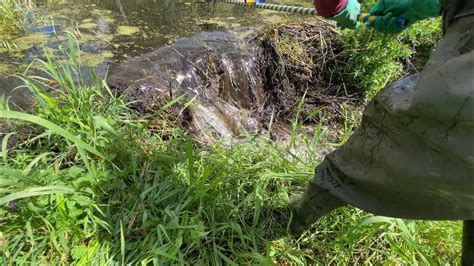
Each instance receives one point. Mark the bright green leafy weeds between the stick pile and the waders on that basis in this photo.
(374, 60)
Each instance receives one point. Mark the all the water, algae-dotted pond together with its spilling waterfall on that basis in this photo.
(159, 48)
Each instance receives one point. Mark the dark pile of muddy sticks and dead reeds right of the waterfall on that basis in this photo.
(301, 60)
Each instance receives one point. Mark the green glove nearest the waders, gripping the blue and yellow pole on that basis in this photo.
(411, 10)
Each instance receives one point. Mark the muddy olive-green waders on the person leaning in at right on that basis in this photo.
(413, 155)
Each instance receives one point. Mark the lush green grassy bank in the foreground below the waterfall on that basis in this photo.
(86, 181)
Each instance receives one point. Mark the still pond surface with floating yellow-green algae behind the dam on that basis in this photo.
(111, 31)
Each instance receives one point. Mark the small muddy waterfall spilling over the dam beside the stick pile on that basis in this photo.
(217, 69)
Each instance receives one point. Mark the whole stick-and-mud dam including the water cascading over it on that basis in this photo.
(228, 84)
